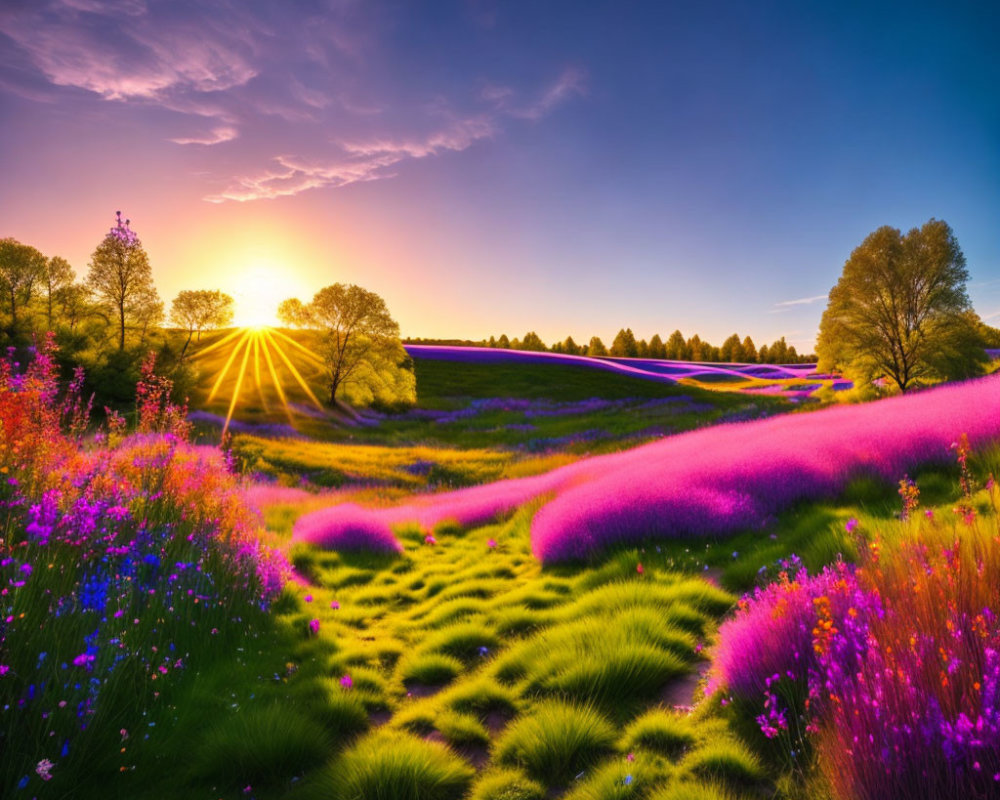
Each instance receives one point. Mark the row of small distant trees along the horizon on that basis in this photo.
(675, 348)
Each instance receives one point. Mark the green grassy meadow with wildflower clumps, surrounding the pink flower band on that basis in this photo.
(177, 638)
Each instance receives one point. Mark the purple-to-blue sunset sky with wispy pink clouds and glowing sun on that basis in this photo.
(493, 167)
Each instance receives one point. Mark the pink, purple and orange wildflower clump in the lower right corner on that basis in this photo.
(881, 680)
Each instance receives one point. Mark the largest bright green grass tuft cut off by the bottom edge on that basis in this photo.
(393, 765)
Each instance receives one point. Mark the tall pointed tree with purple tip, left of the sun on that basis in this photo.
(120, 274)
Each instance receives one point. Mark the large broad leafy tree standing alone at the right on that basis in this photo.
(899, 305)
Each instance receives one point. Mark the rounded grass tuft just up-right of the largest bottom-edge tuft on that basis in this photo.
(555, 741)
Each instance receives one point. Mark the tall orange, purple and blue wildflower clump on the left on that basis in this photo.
(124, 562)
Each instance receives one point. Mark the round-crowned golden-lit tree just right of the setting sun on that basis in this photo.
(354, 326)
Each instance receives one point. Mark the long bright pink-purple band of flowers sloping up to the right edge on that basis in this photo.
(709, 482)
